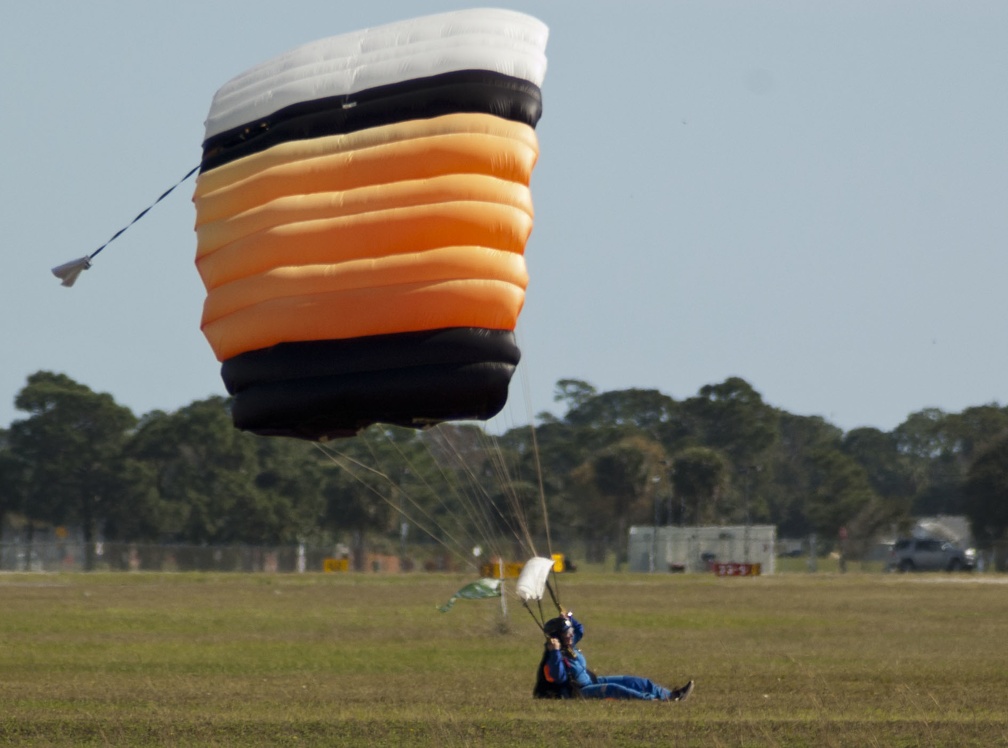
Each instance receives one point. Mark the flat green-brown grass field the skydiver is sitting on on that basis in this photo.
(364, 660)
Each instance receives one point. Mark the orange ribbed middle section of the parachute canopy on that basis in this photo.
(416, 226)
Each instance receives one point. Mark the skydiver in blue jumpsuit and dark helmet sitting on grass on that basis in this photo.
(564, 672)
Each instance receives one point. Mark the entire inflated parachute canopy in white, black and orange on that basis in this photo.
(362, 213)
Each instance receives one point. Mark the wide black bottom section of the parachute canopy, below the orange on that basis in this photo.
(326, 390)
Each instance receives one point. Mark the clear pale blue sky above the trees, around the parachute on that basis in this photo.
(810, 196)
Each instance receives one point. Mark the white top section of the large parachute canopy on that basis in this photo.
(499, 41)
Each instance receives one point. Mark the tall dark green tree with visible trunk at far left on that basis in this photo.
(71, 445)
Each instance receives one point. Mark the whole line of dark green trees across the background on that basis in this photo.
(611, 461)
